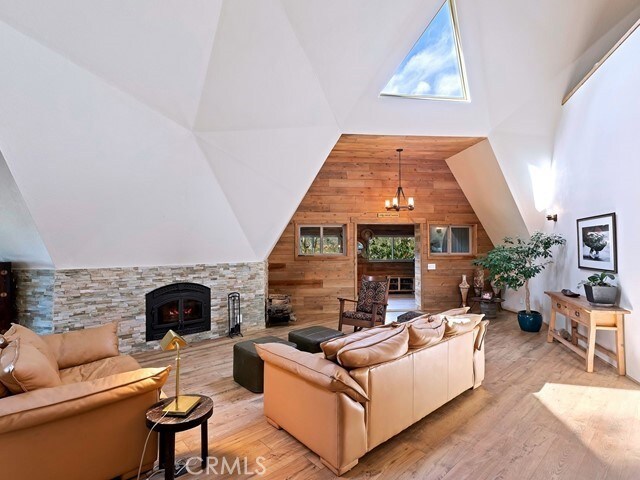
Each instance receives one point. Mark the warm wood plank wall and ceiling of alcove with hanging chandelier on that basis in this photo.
(359, 174)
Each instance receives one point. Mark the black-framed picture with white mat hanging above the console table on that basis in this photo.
(597, 240)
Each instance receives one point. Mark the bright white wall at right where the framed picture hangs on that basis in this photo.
(597, 170)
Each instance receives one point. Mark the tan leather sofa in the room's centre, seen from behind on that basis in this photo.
(342, 414)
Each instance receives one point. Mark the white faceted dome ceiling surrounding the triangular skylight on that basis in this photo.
(146, 133)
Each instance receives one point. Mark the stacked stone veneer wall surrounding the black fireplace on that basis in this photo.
(54, 301)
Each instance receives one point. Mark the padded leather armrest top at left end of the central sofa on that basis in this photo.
(311, 368)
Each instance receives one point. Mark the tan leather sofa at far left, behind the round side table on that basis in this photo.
(91, 425)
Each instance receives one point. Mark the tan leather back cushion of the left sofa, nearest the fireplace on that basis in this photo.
(84, 346)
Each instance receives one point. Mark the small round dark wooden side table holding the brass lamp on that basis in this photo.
(168, 426)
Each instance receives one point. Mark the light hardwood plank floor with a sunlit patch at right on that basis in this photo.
(538, 415)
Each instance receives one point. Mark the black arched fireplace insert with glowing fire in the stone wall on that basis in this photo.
(182, 307)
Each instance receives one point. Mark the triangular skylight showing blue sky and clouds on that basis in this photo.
(433, 68)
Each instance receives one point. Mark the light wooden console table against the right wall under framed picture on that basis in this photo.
(578, 311)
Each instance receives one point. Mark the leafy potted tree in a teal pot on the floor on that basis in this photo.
(515, 263)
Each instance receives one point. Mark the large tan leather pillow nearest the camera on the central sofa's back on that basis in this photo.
(384, 345)
